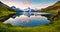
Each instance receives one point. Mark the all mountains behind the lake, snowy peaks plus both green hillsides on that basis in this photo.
(6, 11)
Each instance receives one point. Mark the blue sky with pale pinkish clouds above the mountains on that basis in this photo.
(31, 3)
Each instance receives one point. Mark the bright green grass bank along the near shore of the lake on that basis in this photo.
(55, 27)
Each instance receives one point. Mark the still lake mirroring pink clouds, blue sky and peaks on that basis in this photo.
(26, 19)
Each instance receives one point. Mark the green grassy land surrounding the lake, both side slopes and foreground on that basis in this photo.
(6, 12)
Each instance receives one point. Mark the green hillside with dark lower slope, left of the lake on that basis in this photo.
(5, 12)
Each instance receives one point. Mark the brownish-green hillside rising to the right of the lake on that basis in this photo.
(55, 9)
